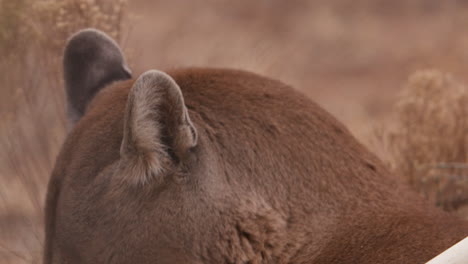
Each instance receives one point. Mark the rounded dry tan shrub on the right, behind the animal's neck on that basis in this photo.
(428, 144)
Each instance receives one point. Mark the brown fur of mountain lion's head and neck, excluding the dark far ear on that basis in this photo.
(264, 176)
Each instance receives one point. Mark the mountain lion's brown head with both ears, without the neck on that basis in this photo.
(194, 166)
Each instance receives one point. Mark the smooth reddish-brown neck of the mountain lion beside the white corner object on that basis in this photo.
(399, 237)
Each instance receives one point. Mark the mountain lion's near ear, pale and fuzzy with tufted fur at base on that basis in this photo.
(157, 129)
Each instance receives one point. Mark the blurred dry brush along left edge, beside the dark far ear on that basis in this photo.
(32, 121)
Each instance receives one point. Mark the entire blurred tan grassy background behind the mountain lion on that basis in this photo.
(352, 57)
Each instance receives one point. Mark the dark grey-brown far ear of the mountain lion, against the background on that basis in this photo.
(91, 61)
